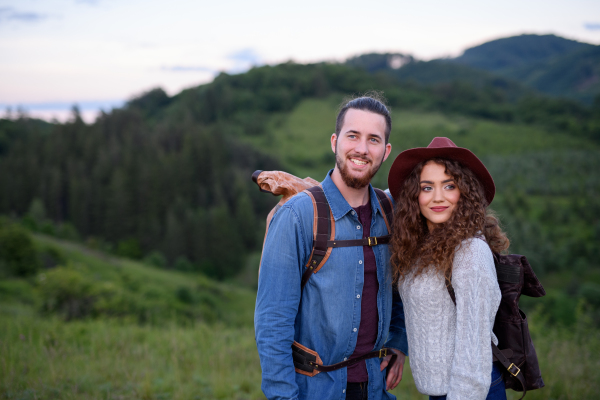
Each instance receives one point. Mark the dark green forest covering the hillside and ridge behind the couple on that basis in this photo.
(167, 178)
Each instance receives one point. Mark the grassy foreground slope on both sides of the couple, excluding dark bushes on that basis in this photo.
(119, 357)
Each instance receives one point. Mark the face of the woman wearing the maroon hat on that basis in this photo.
(438, 195)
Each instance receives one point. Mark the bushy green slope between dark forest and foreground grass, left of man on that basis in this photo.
(85, 284)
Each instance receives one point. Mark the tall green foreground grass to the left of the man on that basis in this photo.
(102, 359)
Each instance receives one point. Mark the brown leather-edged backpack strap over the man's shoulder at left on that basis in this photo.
(323, 231)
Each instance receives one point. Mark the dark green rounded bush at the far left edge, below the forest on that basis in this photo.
(17, 253)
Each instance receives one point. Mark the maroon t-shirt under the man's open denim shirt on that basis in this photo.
(369, 318)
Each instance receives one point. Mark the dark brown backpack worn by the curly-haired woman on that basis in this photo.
(515, 277)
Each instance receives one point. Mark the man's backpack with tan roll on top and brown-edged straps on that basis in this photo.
(307, 361)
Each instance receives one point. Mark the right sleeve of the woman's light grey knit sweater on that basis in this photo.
(473, 282)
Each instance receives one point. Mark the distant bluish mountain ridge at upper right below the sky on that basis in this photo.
(520, 65)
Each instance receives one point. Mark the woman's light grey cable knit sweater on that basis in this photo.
(450, 351)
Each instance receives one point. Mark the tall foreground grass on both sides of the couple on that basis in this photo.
(107, 359)
